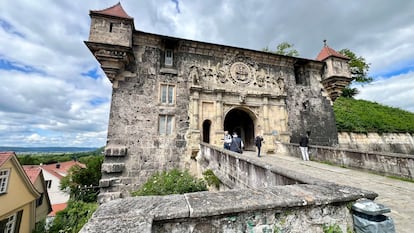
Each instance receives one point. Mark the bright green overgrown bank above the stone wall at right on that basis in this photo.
(361, 116)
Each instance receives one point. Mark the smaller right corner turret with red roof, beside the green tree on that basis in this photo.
(337, 74)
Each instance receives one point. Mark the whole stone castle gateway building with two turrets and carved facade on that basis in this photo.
(170, 94)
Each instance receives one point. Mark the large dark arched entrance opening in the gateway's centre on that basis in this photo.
(239, 121)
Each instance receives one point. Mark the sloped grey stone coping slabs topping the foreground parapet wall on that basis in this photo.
(138, 214)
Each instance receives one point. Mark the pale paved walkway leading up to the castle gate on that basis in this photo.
(395, 194)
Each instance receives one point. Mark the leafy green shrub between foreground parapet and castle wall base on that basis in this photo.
(171, 182)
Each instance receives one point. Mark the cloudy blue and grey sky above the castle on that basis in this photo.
(53, 92)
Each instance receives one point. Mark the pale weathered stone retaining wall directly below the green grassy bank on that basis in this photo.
(388, 142)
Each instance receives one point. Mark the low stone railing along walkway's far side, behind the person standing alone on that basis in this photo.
(392, 164)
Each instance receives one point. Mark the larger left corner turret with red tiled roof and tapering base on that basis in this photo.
(110, 41)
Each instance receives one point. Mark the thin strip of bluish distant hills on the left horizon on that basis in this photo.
(47, 149)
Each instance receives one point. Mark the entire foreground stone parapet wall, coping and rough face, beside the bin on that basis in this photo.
(291, 208)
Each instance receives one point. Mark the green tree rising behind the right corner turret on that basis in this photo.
(359, 72)
